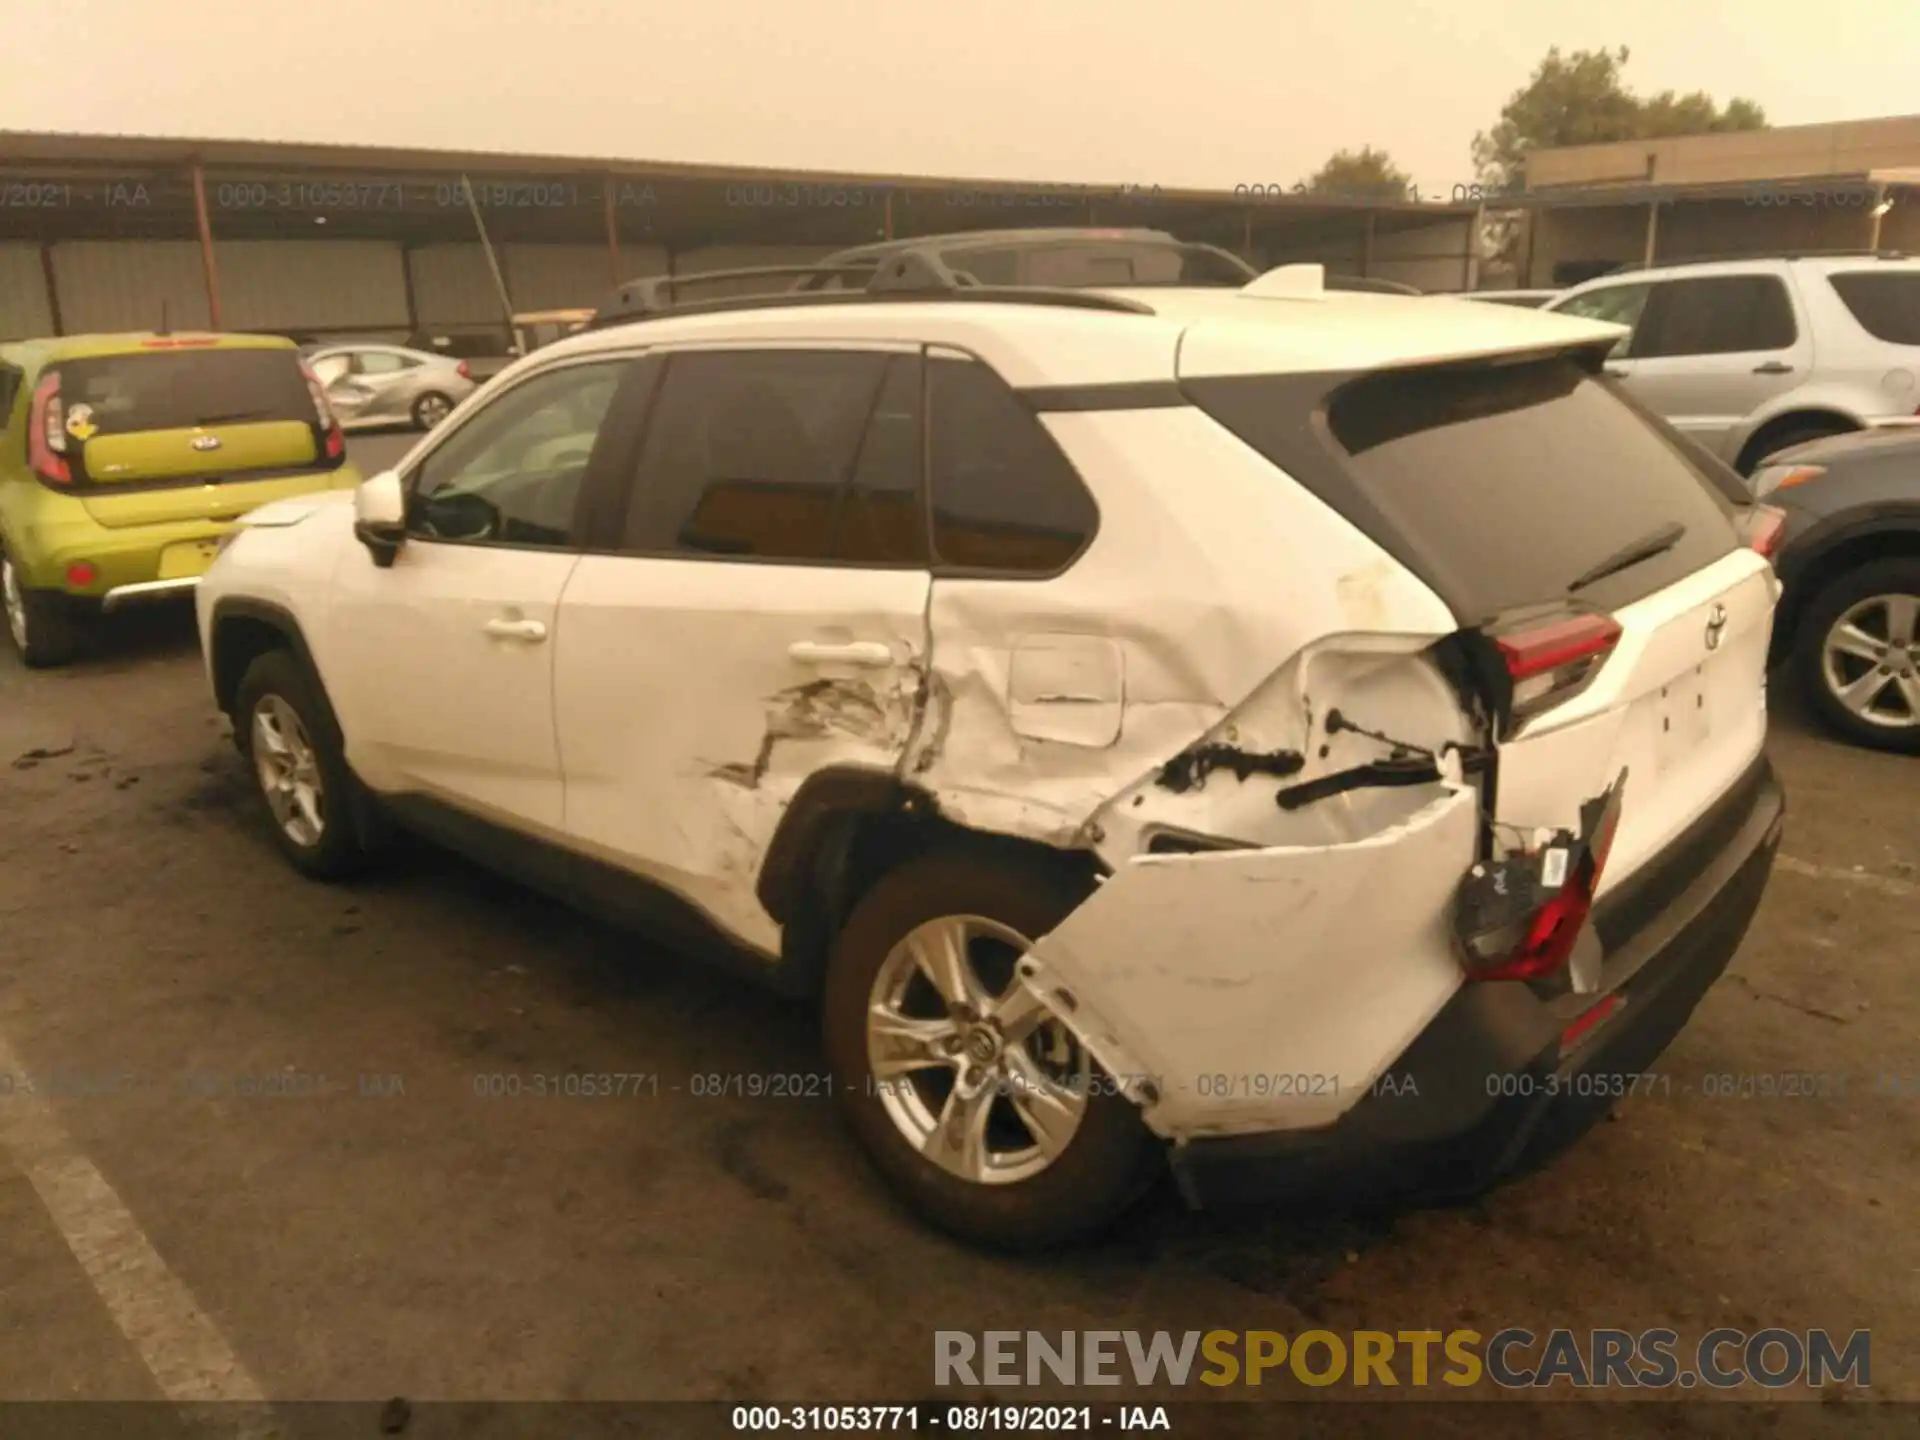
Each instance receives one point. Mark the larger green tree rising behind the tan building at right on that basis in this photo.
(1581, 99)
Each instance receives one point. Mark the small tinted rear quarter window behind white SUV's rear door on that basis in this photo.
(1005, 498)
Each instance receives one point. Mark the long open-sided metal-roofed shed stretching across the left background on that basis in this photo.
(112, 233)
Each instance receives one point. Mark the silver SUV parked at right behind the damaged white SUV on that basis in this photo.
(1754, 356)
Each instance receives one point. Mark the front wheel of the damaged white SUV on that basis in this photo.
(300, 769)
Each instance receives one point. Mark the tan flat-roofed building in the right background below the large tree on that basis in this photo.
(1852, 185)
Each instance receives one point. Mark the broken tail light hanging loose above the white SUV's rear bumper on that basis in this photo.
(1522, 917)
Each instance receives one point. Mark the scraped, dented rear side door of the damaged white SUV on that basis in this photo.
(763, 615)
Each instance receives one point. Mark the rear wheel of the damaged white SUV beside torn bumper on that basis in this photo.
(959, 1082)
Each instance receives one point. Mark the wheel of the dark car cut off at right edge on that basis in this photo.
(1858, 656)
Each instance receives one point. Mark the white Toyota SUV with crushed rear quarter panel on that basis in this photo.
(1312, 738)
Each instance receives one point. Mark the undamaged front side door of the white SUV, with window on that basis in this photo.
(444, 661)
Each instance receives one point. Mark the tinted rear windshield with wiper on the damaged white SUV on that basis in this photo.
(1499, 487)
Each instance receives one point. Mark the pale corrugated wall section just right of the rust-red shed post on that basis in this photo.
(312, 285)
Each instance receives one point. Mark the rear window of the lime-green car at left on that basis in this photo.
(181, 389)
